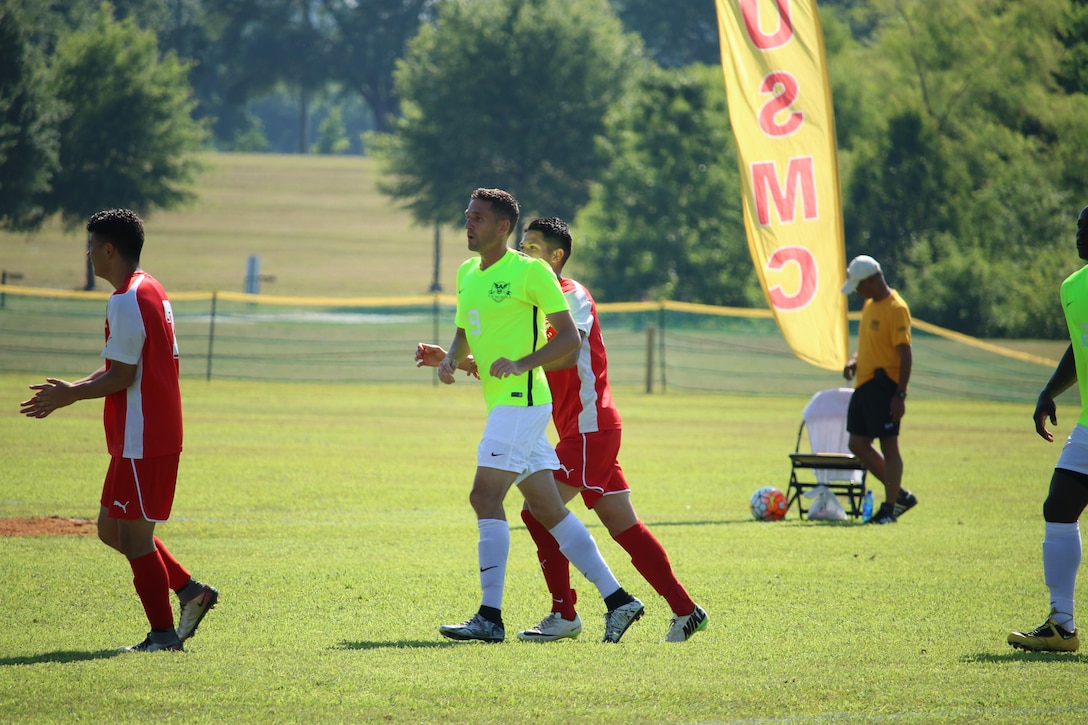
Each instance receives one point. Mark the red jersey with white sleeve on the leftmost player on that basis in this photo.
(145, 420)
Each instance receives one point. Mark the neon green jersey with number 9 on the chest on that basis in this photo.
(502, 311)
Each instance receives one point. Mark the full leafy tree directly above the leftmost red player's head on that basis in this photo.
(129, 136)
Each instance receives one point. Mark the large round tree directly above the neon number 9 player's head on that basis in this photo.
(510, 94)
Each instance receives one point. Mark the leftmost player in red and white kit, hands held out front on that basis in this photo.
(143, 422)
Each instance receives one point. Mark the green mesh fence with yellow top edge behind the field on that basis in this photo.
(653, 347)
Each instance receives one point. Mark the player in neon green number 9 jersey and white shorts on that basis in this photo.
(505, 303)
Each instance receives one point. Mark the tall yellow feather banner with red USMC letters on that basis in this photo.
(781, 109)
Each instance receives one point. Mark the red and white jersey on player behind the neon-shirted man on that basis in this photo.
(582, 399)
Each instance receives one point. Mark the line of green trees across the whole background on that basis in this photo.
(962, 128)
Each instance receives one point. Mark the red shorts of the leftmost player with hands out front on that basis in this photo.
(141, 488)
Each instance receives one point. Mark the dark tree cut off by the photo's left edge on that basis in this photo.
(29, 114)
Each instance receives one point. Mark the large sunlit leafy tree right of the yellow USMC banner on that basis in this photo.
(967, 177)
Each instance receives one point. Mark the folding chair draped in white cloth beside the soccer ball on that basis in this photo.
(830, 463)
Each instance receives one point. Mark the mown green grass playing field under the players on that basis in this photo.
(335, 521)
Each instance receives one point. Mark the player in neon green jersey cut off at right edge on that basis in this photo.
(1069, 486)
